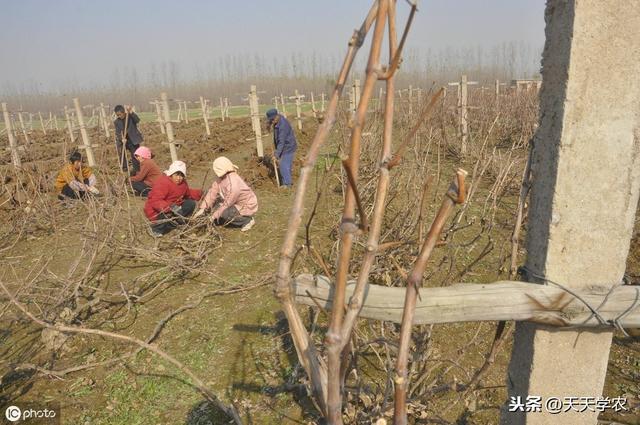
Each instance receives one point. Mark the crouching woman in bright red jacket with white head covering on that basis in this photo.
(170, 200)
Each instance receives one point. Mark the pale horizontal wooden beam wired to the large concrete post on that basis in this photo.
(504, 300)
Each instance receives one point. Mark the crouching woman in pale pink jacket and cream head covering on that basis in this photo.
(230, 199)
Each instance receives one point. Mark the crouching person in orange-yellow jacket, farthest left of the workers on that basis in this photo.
(75, 180)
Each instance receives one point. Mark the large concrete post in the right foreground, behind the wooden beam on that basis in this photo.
(586, 168)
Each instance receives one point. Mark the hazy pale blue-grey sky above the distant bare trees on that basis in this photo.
(57, 42)
